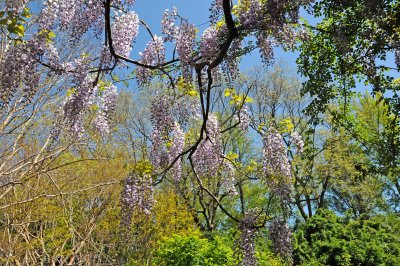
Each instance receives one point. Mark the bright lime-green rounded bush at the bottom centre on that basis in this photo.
(193, 250)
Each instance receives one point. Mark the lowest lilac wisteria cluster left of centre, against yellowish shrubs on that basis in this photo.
(137, 196)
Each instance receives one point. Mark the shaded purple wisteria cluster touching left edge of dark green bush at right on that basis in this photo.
(281, 237)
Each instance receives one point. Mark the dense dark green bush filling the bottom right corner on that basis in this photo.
(327, 239)
